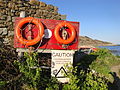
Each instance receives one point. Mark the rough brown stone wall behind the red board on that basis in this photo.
(9, 9)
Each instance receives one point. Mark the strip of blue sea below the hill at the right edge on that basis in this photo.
(114, 49)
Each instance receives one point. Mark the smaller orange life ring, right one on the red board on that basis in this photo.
(58, 37)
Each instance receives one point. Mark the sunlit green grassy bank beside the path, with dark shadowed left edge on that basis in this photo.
(101, 61)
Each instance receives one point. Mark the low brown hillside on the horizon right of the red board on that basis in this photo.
(84, 40)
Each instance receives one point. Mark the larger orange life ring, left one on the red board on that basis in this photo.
(20, 25)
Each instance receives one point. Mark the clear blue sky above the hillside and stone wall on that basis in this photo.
(99, 19)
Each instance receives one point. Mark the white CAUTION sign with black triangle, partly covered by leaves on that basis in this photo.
(59, 59)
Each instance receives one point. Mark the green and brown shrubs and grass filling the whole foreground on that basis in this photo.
(92, 73)
